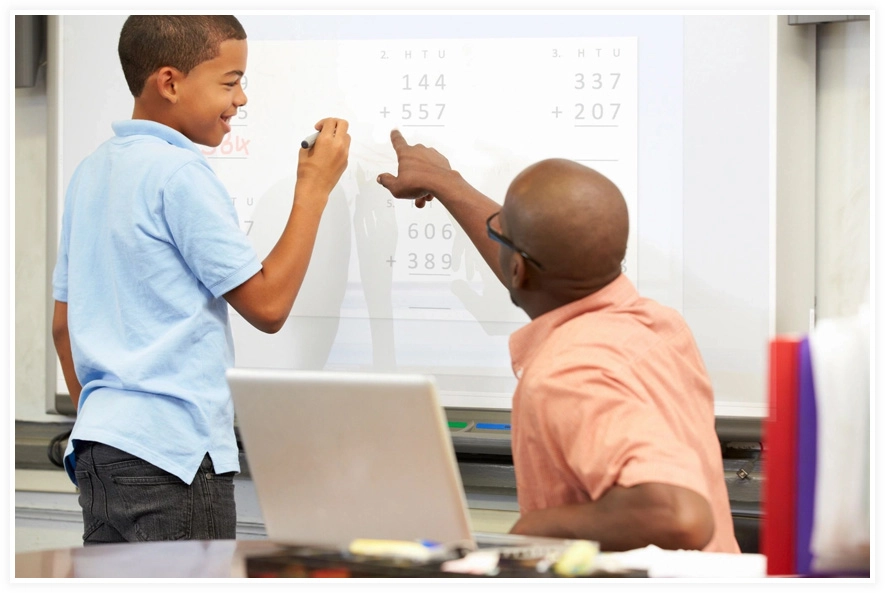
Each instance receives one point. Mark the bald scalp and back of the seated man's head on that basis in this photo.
(572, 219)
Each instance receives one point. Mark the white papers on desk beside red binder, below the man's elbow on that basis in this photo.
(683, 563)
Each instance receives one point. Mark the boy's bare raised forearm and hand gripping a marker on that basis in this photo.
(266, 299)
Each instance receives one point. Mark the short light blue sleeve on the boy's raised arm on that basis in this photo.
(203, 223)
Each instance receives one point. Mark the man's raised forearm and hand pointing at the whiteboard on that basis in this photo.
(423, 174)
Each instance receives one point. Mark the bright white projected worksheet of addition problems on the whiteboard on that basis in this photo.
(491, 106)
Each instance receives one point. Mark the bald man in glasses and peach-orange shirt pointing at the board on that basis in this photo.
(613, 424)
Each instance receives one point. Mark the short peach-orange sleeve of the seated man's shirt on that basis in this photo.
(607, 434)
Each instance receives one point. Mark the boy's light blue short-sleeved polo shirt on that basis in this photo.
(150, 242)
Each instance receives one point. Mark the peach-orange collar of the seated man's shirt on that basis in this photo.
(527, 340)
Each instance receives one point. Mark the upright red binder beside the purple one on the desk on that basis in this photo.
(778, 530)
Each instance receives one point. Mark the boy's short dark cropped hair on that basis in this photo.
(150, 42)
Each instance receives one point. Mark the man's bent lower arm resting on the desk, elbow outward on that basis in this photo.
(669, 517)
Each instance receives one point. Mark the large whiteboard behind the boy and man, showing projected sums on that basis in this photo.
(675, 110)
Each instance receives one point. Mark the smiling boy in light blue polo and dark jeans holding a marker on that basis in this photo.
(150, 256)
